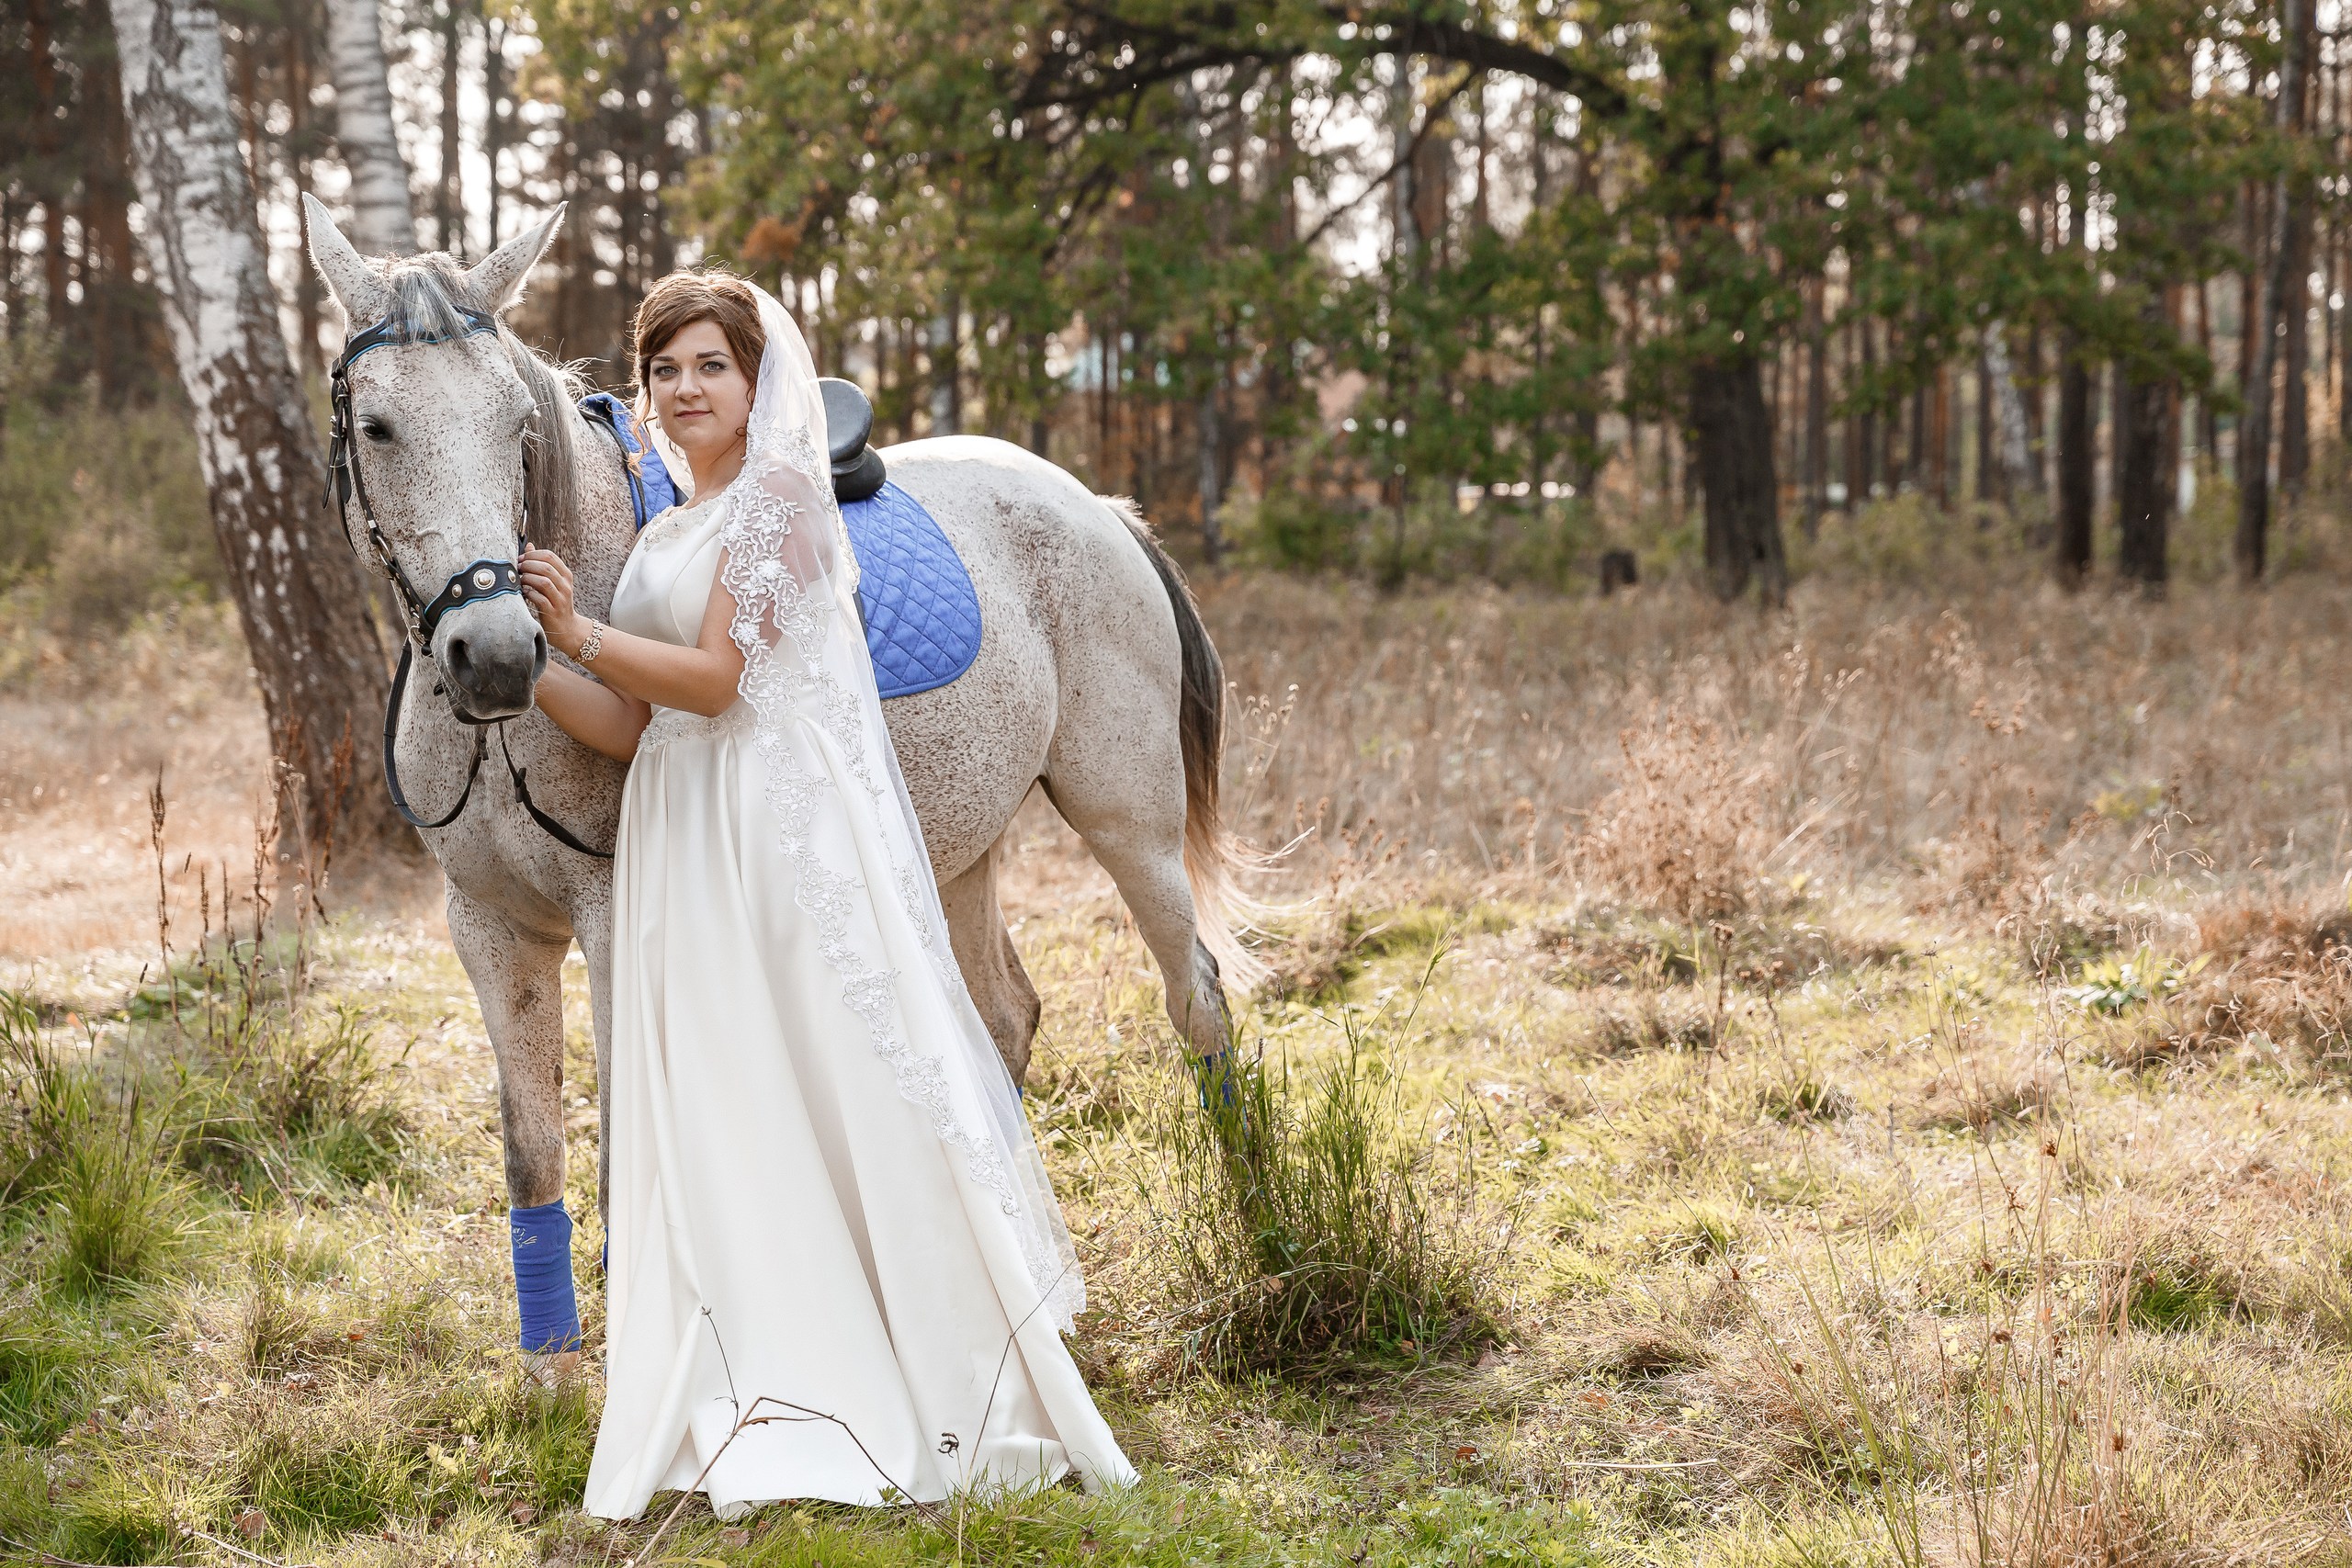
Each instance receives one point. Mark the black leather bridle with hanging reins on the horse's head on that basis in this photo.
(472, 584)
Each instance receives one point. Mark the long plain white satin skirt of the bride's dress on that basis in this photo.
(789, 1235)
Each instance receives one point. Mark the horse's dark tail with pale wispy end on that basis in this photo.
(1212, 857)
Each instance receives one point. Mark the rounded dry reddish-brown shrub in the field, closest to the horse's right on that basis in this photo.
(1681, 831)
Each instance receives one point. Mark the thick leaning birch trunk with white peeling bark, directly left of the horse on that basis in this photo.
(298, 589)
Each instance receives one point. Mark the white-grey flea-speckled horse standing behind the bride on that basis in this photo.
(1095, 681)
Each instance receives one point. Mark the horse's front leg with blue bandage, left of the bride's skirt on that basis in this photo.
(519, 977)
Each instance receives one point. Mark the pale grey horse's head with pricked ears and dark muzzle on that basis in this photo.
(434, 408)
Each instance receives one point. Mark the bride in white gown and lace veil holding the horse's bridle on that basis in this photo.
(836, 1266)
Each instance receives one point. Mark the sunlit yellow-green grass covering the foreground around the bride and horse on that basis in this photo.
(1876, 1254)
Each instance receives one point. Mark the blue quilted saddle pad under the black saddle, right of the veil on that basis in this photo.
(923, 619)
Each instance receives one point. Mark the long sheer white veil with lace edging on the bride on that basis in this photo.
(794, 577)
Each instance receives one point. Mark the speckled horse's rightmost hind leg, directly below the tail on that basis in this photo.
(1125, 800)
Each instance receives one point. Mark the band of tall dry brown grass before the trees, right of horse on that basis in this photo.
(1996, 735)
